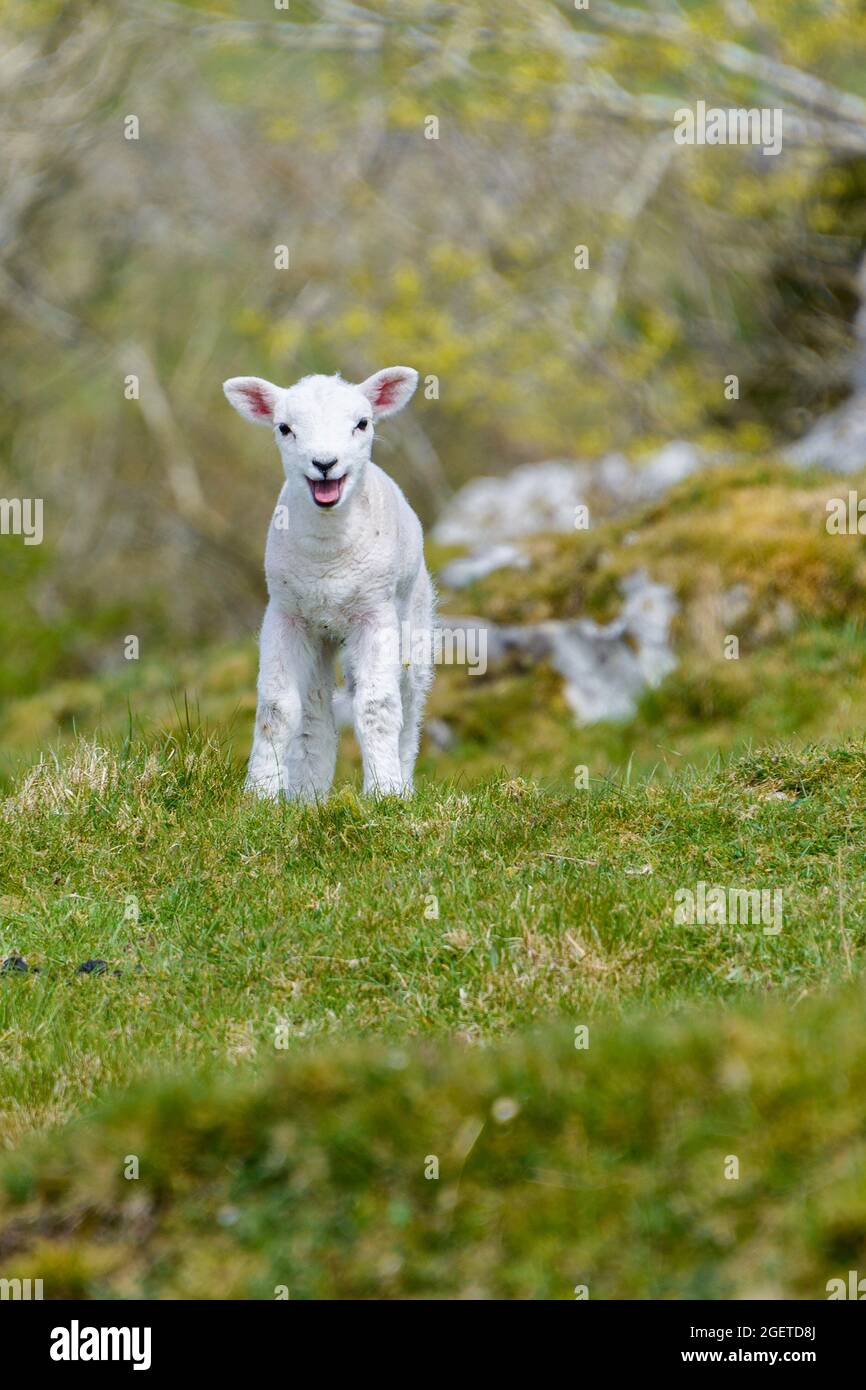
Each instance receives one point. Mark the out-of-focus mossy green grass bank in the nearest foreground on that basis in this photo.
(557, 1168)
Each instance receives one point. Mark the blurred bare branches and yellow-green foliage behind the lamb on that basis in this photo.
(307, 127)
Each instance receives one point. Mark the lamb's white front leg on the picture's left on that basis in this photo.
(286, 662)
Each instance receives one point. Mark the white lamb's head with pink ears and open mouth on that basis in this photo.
(323, 426)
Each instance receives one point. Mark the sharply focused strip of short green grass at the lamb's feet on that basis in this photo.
(227, 917)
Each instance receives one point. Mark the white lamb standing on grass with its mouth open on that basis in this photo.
(345, 572)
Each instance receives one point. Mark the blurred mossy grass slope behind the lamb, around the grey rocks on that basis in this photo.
(746, 551)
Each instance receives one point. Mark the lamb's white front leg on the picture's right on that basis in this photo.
(375, 658)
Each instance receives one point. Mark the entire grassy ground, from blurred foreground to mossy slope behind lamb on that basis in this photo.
(419, 963)
